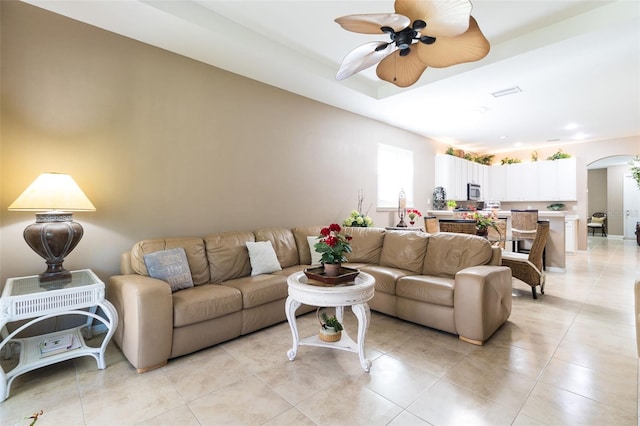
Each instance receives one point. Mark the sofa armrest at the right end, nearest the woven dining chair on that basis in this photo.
(482, 301)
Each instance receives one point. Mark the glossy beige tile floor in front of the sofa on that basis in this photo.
(568, 358)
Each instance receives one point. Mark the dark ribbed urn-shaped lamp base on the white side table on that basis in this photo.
(53, 237)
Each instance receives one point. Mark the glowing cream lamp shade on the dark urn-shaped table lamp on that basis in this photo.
(53, 191)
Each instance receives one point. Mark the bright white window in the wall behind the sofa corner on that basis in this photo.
(395, 173)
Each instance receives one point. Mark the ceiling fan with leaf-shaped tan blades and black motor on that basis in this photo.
(423, 33)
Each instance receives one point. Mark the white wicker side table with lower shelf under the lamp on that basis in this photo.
(25, 298)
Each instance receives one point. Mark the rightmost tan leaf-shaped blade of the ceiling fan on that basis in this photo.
(446, 51)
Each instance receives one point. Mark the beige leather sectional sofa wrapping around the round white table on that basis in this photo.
(451, 282)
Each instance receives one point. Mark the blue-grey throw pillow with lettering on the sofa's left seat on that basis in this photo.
(170, 266)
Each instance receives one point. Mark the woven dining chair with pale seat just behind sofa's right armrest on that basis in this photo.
(529, 267)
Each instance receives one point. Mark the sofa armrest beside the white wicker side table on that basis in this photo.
(145, 311)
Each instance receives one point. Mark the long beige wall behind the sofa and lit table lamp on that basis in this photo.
(166, 146)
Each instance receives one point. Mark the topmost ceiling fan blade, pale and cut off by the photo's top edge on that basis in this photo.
(444, 18)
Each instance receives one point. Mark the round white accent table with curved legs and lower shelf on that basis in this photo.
(355, 295)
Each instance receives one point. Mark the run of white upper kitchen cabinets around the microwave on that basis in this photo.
(531, 181)
